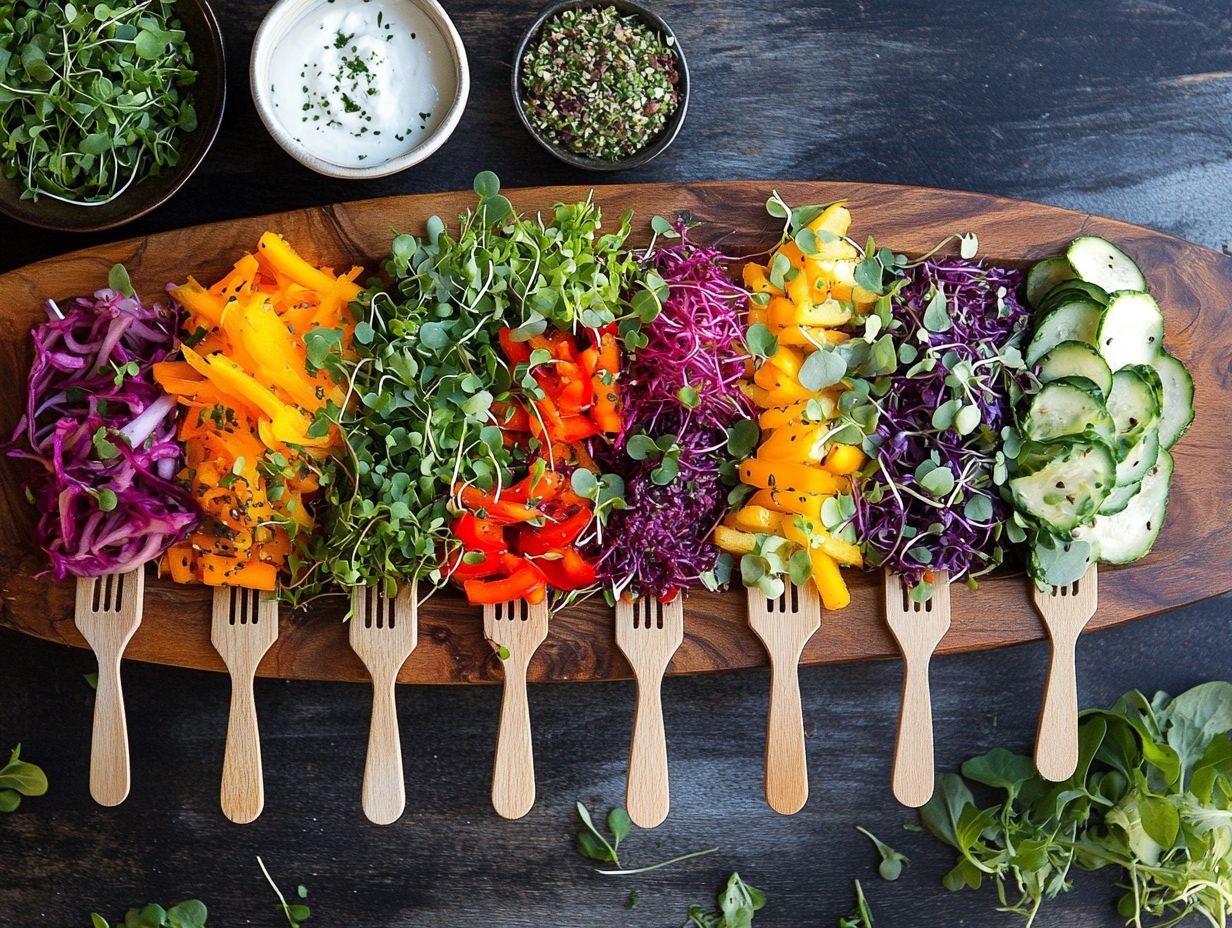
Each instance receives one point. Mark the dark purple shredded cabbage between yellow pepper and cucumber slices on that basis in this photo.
(898, 517)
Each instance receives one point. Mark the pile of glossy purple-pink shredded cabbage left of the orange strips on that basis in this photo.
(105, 434)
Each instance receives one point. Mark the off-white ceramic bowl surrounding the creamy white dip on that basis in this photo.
(279, 22)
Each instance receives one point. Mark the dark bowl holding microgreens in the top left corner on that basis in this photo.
(210, 94)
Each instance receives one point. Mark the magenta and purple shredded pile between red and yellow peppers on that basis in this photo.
(662, 542)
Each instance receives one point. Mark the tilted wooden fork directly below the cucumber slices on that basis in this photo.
(1066, 612)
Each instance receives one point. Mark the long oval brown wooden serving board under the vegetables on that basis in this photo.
(1191, 561)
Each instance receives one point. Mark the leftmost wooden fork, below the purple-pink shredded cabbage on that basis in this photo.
(109, 609)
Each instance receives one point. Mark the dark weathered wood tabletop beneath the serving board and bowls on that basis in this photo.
(1117, 109)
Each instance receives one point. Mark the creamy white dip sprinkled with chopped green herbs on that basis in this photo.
(362, 82)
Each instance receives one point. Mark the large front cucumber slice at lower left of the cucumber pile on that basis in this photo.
(1064, 484)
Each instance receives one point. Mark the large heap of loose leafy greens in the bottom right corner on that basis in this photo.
(1151, 796)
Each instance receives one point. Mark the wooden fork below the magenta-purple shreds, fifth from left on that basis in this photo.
(649, 633)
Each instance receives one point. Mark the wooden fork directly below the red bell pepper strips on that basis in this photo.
(519, 628)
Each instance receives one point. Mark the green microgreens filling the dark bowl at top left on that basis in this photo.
(93, 99)
